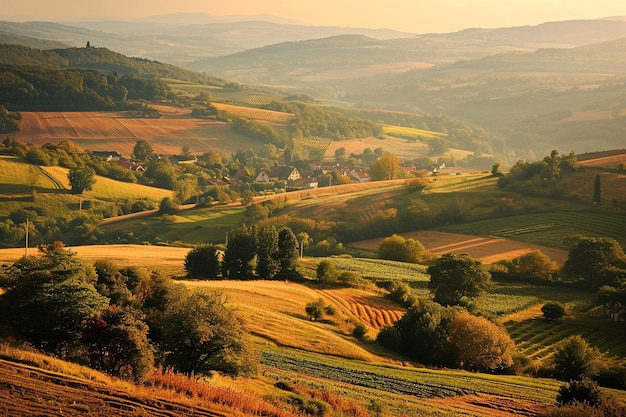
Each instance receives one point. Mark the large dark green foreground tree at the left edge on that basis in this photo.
(47, 299)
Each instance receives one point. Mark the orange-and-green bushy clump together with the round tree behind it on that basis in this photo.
(442, 332)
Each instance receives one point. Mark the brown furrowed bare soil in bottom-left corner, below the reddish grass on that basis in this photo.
(31, 391)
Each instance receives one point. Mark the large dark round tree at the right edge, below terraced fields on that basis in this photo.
(590, 256)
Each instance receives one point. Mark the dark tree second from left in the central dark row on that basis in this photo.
(240, 252)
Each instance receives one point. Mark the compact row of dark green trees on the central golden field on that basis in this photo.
(263, 252)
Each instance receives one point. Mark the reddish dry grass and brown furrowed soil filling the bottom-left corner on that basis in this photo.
(40, 385)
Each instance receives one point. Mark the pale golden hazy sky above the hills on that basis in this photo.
(417, 16)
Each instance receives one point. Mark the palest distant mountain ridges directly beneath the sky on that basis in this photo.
(166, 39)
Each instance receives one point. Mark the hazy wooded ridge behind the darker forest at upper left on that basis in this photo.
(99, 59)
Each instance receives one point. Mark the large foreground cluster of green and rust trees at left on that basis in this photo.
(121, 320)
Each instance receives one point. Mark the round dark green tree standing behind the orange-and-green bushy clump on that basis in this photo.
(456, 277)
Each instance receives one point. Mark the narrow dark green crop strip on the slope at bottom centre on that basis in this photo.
(368, 379)
